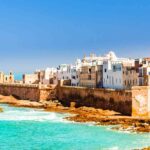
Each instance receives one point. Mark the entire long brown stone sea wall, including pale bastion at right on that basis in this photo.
(135, 102)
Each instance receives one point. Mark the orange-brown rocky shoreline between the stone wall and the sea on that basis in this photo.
(86, 114)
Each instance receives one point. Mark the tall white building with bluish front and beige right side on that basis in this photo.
(119, 73)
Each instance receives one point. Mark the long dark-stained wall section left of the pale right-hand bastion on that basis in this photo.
(118, 100)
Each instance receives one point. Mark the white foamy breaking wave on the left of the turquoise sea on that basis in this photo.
(27, 114)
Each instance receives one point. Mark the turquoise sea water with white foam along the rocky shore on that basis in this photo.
(34, 129)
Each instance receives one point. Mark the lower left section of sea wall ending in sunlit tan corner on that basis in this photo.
(27, 92)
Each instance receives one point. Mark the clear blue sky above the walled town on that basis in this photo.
(44, 33)
